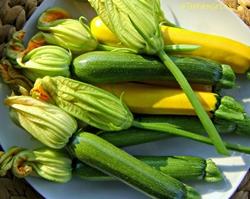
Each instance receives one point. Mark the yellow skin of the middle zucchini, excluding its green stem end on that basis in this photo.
(149, 99)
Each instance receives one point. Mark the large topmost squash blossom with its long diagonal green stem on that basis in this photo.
(137, 26)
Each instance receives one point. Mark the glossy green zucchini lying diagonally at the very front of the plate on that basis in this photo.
(102, 155)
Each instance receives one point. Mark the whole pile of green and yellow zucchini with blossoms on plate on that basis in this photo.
(129, 78)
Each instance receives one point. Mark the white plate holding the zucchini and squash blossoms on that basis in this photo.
(209, 16)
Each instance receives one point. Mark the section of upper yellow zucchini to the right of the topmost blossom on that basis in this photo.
(218, 48)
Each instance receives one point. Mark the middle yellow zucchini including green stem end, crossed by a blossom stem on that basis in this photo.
(158, 100)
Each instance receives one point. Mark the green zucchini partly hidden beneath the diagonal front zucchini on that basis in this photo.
(179, 167)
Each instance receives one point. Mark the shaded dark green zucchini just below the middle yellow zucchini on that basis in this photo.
(134, 136)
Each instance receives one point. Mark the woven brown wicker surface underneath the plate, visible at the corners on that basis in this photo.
(13, 15)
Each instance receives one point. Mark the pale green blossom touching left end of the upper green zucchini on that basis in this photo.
(45, 60)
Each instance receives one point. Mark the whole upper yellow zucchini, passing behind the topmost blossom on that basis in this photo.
(221, 49)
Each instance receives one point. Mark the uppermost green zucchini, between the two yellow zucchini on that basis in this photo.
(110, 67)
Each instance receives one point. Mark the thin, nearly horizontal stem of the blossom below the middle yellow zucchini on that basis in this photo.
(160, 127)
